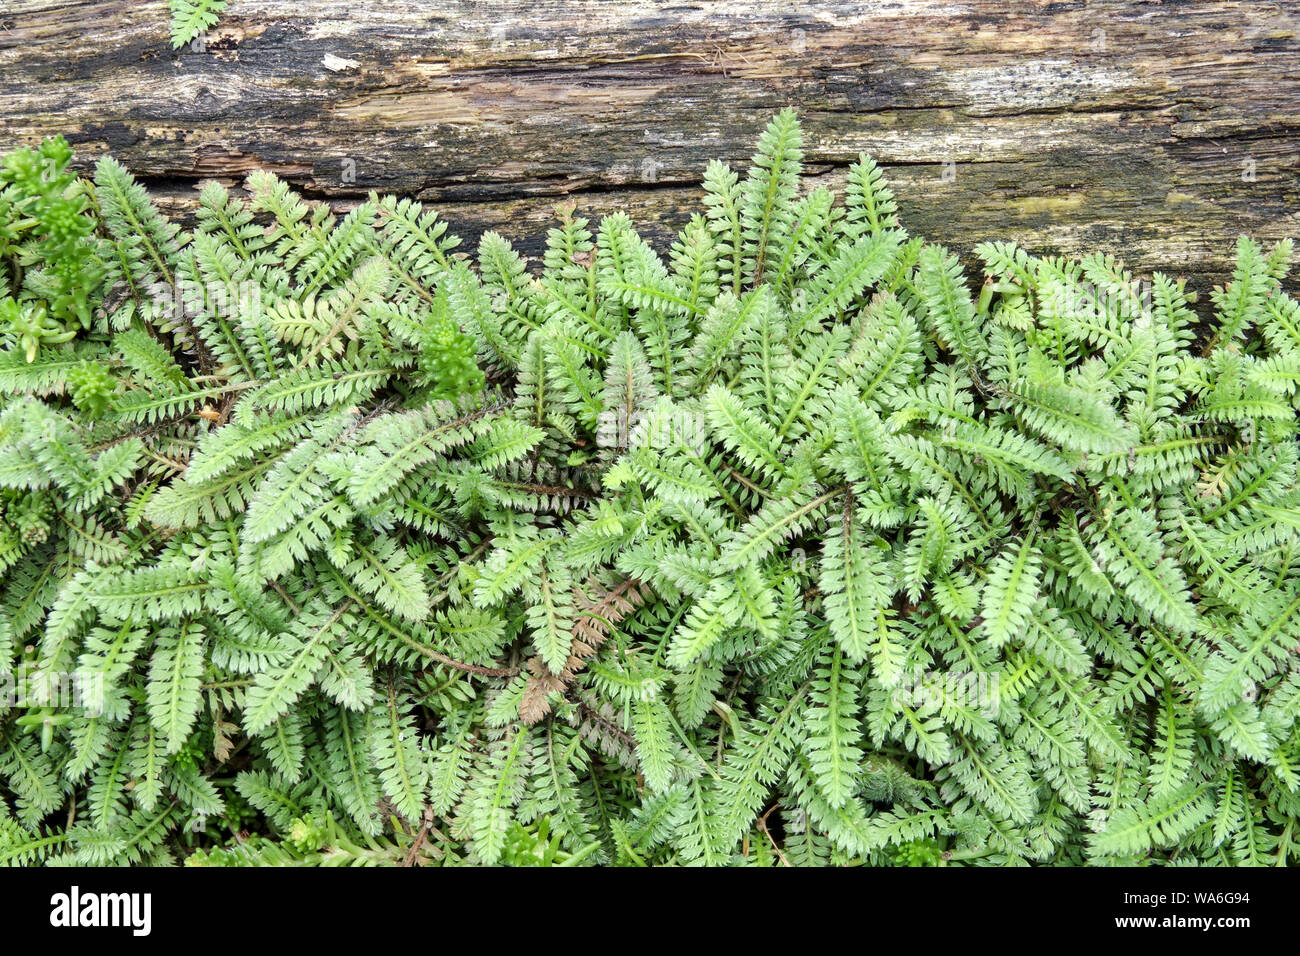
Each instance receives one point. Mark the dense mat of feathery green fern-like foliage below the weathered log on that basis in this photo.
(326, 543)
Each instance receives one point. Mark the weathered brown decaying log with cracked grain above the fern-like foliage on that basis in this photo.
(1155, 131)
